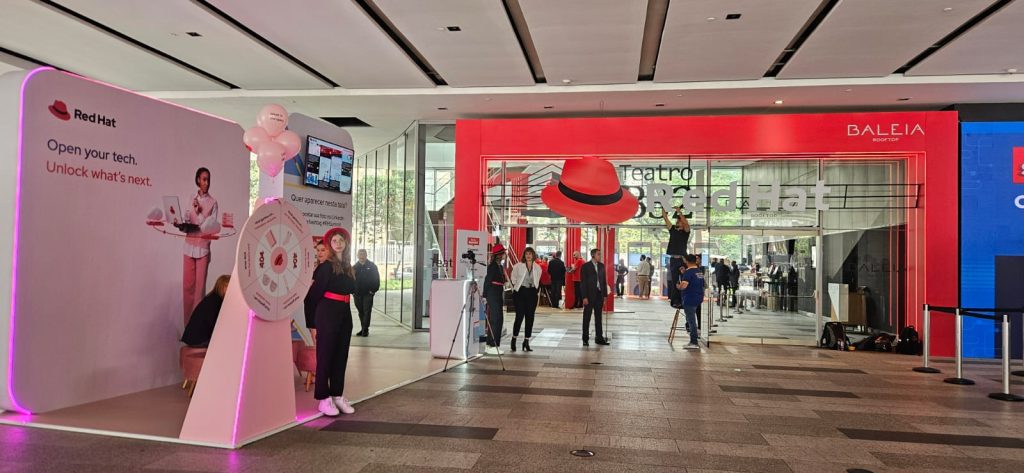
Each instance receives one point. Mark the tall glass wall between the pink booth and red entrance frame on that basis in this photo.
(403, 205)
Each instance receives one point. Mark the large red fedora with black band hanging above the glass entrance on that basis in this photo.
(589, 191)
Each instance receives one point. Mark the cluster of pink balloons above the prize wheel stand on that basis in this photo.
(271, 142)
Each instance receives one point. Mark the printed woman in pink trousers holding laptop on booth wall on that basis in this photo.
(204, 222)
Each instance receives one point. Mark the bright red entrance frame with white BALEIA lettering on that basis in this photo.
(928, 141)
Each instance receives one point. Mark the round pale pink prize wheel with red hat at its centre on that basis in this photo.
(275, 261)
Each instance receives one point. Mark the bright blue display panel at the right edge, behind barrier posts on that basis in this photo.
(992, 230)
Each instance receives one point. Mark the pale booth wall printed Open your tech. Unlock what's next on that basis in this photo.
(104, 270)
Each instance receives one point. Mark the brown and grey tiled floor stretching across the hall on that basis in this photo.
(641, 405)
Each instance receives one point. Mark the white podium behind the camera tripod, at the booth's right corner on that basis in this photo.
(449, 306)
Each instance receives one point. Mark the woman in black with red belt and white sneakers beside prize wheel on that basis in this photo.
(328, 311)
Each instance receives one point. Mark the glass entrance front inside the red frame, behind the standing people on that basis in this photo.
(796, 256)
